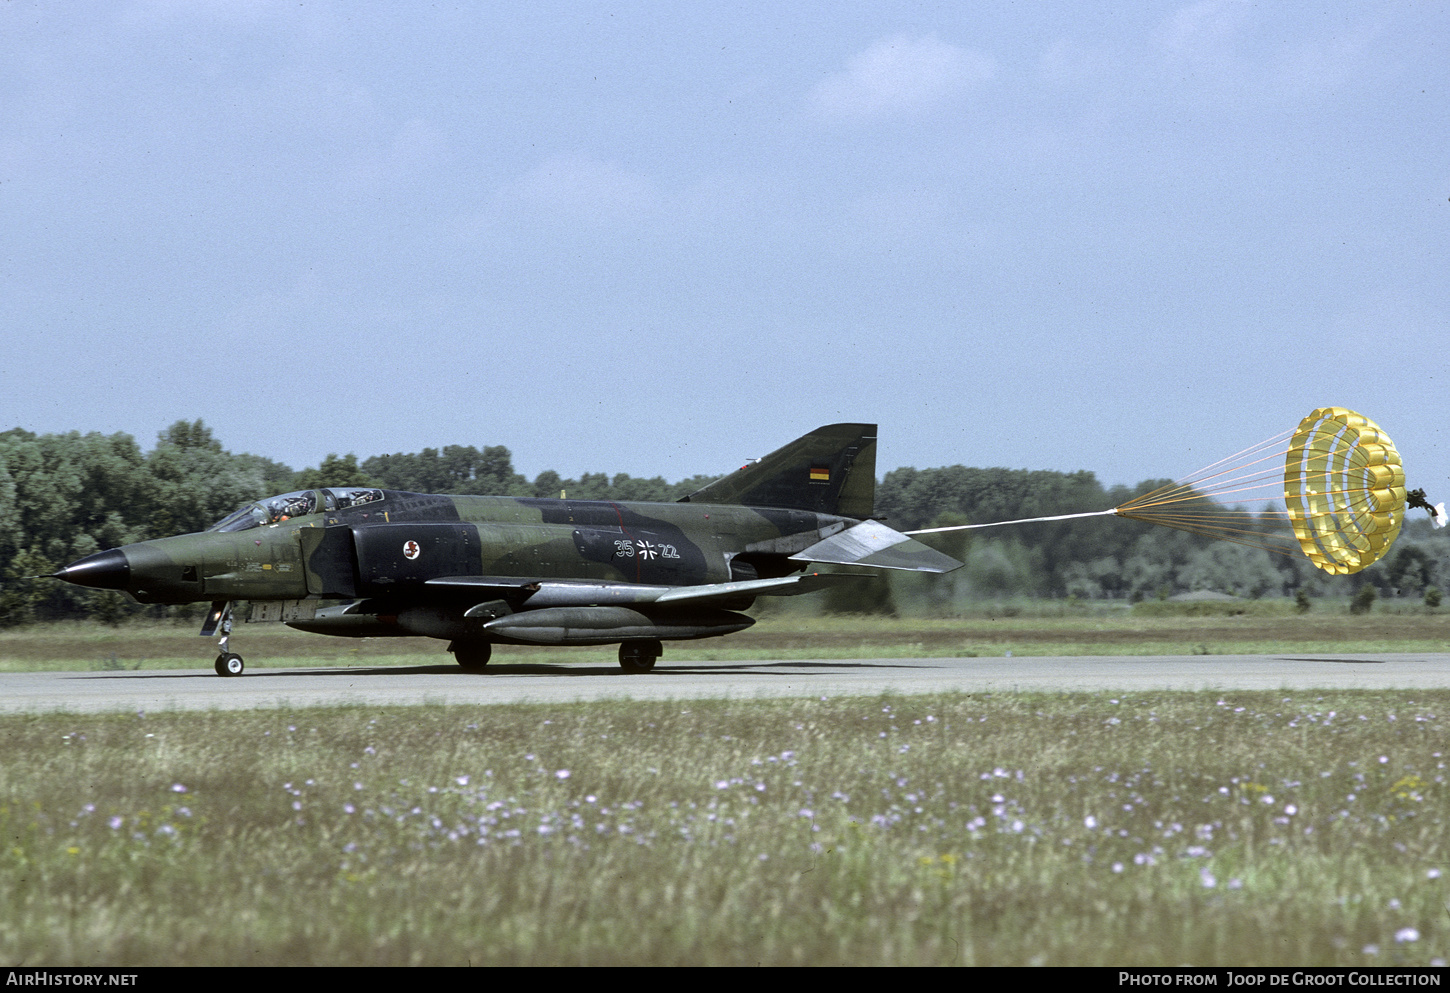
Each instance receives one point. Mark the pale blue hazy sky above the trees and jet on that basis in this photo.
(662, 238)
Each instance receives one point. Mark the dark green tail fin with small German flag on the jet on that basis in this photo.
(832, 470)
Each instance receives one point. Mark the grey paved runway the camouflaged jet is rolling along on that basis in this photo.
(202, 689)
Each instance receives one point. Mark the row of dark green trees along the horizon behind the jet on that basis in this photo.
(66, 496)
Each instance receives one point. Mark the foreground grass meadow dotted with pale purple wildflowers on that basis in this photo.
(1156, 828)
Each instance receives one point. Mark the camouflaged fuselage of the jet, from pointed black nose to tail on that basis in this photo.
(392, 544)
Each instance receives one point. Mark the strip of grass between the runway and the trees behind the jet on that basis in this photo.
(994, 630)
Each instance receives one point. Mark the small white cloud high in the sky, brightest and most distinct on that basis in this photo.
(901, 75)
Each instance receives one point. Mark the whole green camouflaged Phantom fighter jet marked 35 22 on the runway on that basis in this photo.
(481, 570)
